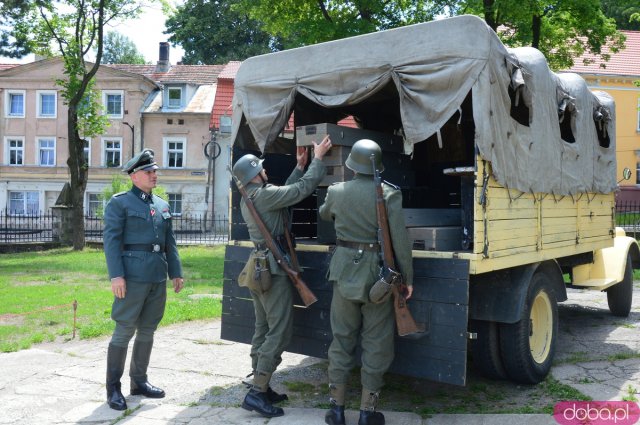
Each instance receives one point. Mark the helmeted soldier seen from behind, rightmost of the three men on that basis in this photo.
(354, 268)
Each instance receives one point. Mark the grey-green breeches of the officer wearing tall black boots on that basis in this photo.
(139, 312)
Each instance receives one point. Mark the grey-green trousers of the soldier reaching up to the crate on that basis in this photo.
(274, 324)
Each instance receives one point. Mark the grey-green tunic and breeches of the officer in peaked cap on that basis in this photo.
(134, 221)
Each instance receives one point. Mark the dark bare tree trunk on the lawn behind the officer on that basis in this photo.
(78, 174)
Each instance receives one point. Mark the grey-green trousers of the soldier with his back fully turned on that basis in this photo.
(375, 325)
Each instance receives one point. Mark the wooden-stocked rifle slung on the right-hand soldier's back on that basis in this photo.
(389, 276)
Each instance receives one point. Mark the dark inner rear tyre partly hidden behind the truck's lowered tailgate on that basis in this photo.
(485, 350)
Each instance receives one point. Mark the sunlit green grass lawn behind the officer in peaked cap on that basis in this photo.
(38, 290)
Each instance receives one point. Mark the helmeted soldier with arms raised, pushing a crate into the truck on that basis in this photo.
(273, 308)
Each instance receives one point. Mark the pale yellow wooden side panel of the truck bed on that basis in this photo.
(513, 228)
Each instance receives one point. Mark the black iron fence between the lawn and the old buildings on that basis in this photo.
(189, 228)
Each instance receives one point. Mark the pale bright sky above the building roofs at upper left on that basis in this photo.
(145, 32)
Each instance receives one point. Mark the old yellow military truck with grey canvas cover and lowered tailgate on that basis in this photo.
(508, 175)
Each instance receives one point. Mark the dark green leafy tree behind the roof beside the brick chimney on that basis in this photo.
(210, 32)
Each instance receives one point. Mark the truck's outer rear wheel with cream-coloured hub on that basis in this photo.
(527, 347)
